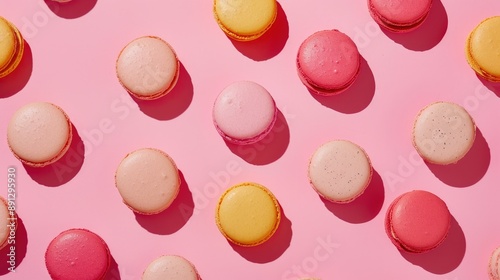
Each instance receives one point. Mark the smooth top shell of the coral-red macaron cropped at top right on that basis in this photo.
(401, 11)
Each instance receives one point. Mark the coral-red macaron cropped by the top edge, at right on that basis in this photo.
(399, 15)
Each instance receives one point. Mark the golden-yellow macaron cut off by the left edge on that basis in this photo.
(11, 47)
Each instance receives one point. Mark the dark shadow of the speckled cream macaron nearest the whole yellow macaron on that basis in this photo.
(365, 207)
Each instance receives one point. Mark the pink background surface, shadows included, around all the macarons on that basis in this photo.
(70, 62)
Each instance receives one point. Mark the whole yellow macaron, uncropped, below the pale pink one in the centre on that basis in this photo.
(248, 214)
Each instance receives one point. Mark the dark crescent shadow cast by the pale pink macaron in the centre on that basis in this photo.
(270, 148)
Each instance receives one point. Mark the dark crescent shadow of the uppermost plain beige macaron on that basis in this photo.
(173, 103)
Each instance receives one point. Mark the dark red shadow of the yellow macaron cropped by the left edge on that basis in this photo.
(17, 80)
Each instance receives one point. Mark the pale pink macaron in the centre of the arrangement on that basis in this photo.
(244, 113)
